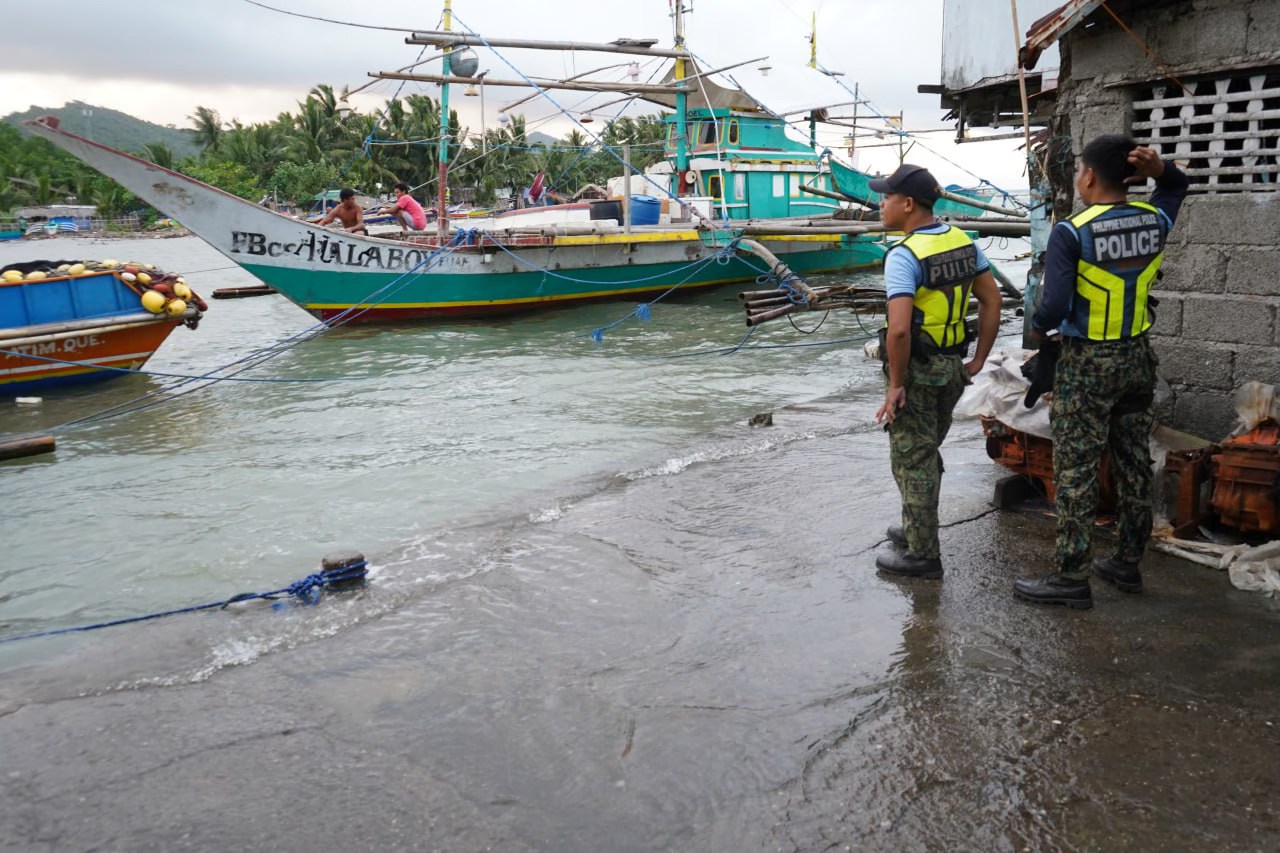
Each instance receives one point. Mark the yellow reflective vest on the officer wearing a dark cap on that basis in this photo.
(949, 263)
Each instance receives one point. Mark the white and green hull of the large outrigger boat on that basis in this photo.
(371, 280)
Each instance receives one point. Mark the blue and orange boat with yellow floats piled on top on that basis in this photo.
(75, 322)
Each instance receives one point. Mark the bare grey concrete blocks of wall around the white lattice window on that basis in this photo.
(1218, 325)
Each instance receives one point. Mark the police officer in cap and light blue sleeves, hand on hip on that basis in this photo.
(929, 280)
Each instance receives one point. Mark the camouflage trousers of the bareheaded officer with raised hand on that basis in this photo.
(1103, 400)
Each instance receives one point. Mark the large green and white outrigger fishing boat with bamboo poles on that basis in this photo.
(730, 172)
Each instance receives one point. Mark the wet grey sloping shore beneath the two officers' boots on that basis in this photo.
(758, 688)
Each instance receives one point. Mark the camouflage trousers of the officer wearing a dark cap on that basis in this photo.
(934, 389)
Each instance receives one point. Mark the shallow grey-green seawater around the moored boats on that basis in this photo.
(440, 451)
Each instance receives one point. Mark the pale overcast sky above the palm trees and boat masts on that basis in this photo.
(159, 60)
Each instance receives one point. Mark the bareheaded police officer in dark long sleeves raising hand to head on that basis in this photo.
(1099, 272)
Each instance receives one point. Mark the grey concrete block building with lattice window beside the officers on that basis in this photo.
(1200, 81)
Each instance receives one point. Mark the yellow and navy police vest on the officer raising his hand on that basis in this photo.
(1122, 248)
